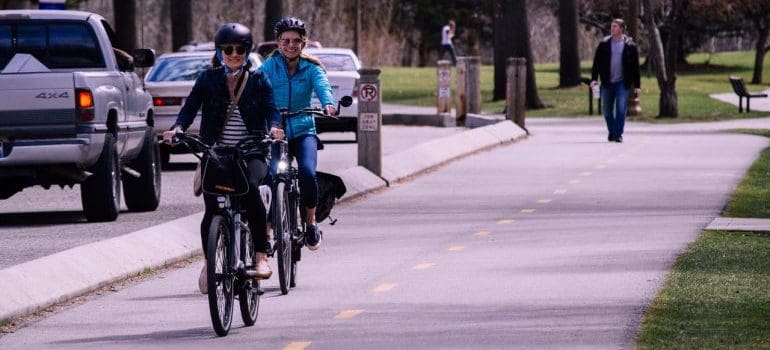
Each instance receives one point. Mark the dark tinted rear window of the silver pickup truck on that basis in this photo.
(57, 44)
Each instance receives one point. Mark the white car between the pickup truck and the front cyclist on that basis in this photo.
(170, 81)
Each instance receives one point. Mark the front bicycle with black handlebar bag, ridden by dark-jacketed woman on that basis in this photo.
(231, 263)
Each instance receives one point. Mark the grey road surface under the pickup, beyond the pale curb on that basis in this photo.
(37, 222)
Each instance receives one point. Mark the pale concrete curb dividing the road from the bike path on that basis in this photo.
(37, 284)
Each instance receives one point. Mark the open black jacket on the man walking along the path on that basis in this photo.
(630, 59)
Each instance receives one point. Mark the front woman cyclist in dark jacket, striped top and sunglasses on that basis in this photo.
(215, 89)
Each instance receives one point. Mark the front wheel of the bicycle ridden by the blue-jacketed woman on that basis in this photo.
(282, 232)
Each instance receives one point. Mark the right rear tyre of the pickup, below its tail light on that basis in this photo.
(100, 193)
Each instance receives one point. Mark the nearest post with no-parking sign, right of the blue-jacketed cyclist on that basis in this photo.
(370, 121)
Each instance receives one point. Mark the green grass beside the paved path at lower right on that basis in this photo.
(717, 295)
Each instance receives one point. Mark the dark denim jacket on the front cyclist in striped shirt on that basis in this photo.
(256, 104)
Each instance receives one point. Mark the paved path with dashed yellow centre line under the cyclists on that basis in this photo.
(560, 241)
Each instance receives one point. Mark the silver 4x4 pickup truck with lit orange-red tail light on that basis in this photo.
(72, 111)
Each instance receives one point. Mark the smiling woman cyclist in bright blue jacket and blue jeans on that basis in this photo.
(294, 76)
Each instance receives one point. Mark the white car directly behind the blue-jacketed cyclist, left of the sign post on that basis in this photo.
(342, 67)
